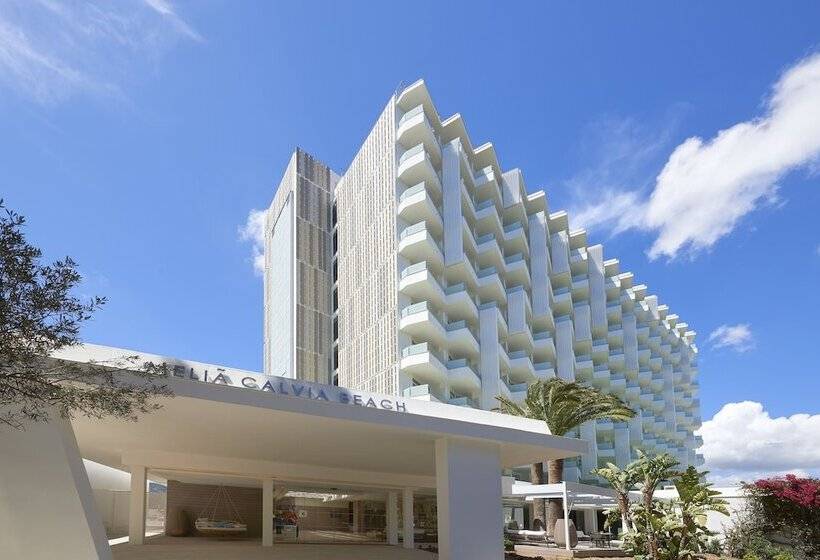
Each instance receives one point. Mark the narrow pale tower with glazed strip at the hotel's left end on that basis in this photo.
(298, 273)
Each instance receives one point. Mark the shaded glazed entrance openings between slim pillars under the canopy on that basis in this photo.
(222, 507)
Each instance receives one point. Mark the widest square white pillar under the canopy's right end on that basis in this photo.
(468, 498)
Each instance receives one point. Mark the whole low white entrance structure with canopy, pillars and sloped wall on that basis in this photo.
(277, 465)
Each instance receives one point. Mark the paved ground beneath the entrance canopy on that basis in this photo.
(193, 548)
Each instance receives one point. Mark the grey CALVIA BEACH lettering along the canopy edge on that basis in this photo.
(286, 387)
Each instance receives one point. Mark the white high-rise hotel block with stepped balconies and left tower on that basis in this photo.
(426, 271)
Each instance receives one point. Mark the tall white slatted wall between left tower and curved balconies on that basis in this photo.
(367, 257)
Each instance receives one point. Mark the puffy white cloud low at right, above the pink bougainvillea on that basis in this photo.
(742, 442)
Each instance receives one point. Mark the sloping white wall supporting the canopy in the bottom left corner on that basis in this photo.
(47, 508)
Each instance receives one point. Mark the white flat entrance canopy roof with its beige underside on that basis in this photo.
(236, 422)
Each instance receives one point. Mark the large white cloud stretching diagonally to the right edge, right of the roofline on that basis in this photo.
(707, 185)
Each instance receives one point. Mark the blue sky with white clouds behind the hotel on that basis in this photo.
(138, 135)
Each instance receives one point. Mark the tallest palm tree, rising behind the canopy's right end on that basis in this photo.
(563, 406)
